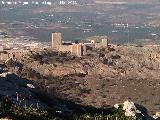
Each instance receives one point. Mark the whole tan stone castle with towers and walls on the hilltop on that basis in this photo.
(78, 49)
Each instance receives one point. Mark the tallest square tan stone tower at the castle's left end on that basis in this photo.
(56, 39)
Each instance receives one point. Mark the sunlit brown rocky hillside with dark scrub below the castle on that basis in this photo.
(101, 78)
